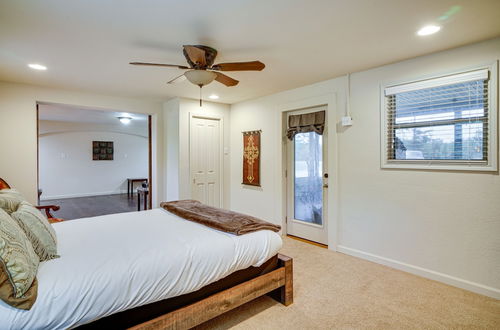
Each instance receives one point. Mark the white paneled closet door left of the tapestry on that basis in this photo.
(205, 160)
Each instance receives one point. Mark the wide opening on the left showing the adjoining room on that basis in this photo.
(93, 162)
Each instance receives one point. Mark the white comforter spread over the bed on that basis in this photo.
(116, 262)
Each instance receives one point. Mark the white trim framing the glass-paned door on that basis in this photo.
(330, 102)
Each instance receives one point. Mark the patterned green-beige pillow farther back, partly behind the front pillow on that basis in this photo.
(38, 229)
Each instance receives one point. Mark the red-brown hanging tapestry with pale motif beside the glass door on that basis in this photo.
(251, 158)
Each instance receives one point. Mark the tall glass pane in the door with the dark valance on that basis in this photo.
(308, 182)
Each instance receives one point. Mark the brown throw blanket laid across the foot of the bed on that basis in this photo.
(224, 220)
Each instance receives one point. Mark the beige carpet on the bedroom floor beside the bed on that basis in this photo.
(336, 291)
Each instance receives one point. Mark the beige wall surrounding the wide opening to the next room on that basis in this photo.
(18, 149)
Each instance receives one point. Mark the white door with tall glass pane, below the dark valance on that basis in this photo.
(307, 185)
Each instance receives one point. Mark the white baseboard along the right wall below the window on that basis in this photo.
(427, 273)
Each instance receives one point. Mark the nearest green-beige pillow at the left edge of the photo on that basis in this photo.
(18, 265)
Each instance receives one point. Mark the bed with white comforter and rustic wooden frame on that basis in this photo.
(150, 269)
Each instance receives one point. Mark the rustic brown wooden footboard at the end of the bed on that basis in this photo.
(277, 283)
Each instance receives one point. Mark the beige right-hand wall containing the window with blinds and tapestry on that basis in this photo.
(440, 224)
